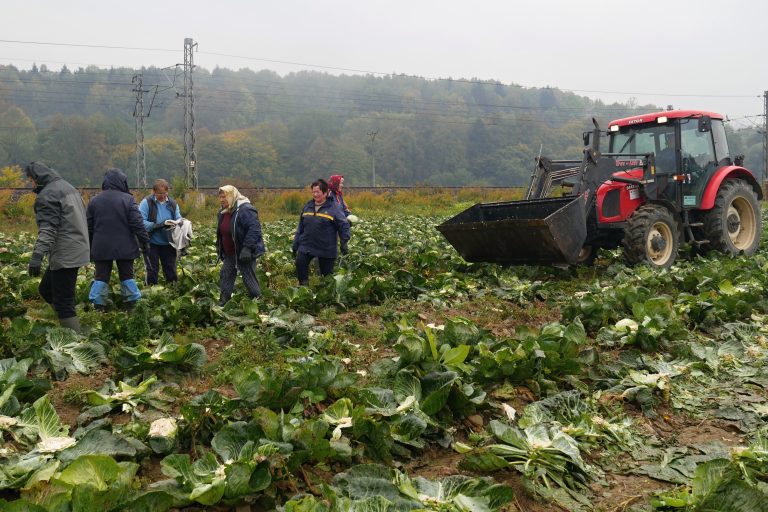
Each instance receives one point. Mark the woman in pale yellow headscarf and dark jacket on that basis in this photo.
(239, 242)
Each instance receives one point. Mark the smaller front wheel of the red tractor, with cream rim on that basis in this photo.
(651, 236)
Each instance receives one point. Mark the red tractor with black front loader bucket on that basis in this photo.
(668, 178)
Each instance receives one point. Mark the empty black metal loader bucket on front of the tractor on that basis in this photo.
(536, 231)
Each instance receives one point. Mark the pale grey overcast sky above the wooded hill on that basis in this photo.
(703, 54)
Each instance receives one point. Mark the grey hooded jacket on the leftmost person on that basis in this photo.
(60, 215)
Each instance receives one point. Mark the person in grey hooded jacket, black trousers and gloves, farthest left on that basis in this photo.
(62, 236)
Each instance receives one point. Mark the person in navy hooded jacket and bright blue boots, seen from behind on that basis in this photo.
(117, 234)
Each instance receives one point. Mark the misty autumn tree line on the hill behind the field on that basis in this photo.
(263, 129)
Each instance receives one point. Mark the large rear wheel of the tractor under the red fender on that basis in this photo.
(734, 225)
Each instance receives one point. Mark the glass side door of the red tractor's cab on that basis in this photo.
(702, 146)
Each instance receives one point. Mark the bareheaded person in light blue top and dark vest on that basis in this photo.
(157, 208)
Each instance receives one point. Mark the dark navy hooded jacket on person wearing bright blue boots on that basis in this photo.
(114, 221)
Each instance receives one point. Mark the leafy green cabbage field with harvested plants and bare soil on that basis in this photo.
(410, 380)
